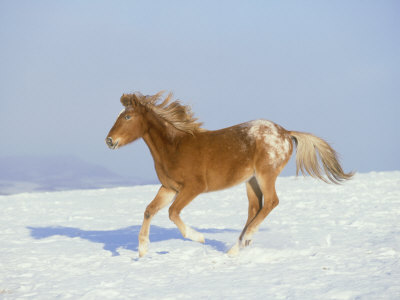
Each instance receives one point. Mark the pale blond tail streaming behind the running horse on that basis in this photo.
(307, 161)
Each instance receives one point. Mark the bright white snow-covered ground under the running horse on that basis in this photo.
(322, 242)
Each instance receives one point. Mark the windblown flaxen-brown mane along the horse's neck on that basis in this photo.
(178, 115)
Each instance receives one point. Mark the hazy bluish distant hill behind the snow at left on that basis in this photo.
(50, 173)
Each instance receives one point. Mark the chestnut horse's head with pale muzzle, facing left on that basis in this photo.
(129, 125)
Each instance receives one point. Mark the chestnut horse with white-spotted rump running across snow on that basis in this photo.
(190, 160)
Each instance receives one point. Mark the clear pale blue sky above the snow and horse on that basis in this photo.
(331, 68)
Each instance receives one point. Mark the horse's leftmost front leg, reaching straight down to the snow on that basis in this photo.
(163, 198)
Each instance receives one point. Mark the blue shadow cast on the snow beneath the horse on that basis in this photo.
(126, 238)
